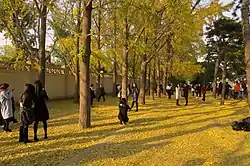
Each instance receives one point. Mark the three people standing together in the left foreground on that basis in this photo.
(33, 109)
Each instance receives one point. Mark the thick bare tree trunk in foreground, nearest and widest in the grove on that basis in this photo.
(84, 110)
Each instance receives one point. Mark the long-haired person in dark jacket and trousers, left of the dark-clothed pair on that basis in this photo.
(27, 117)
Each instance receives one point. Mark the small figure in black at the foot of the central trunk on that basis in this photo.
(123, 111)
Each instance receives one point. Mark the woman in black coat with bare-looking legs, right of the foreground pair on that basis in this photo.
(41, 110)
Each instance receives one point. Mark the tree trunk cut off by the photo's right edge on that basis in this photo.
(246, 34)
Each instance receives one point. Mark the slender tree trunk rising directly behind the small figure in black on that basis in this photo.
(125, 60)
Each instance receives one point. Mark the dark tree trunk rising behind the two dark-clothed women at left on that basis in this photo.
(42, 43)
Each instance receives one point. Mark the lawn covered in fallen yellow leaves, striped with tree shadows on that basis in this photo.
(159, 134)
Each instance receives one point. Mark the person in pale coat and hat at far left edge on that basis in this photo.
(6, 106)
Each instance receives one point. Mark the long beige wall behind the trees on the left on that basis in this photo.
(59, 82)
